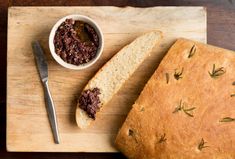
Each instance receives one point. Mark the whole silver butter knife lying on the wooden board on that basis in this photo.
(43, 73)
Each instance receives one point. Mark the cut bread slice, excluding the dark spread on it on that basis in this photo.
(117, 70)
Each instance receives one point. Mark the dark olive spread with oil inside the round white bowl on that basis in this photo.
(76, 42)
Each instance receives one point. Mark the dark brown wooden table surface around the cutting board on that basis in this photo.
(220, 32)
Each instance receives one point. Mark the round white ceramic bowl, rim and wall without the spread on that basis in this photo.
(86, 20)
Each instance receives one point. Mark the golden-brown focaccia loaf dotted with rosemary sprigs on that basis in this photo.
(187, 108)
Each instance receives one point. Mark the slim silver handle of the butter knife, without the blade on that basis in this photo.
(51, 112)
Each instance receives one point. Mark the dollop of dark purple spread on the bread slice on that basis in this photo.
(89, 101)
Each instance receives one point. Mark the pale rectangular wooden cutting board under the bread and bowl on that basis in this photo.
(28, 127)
